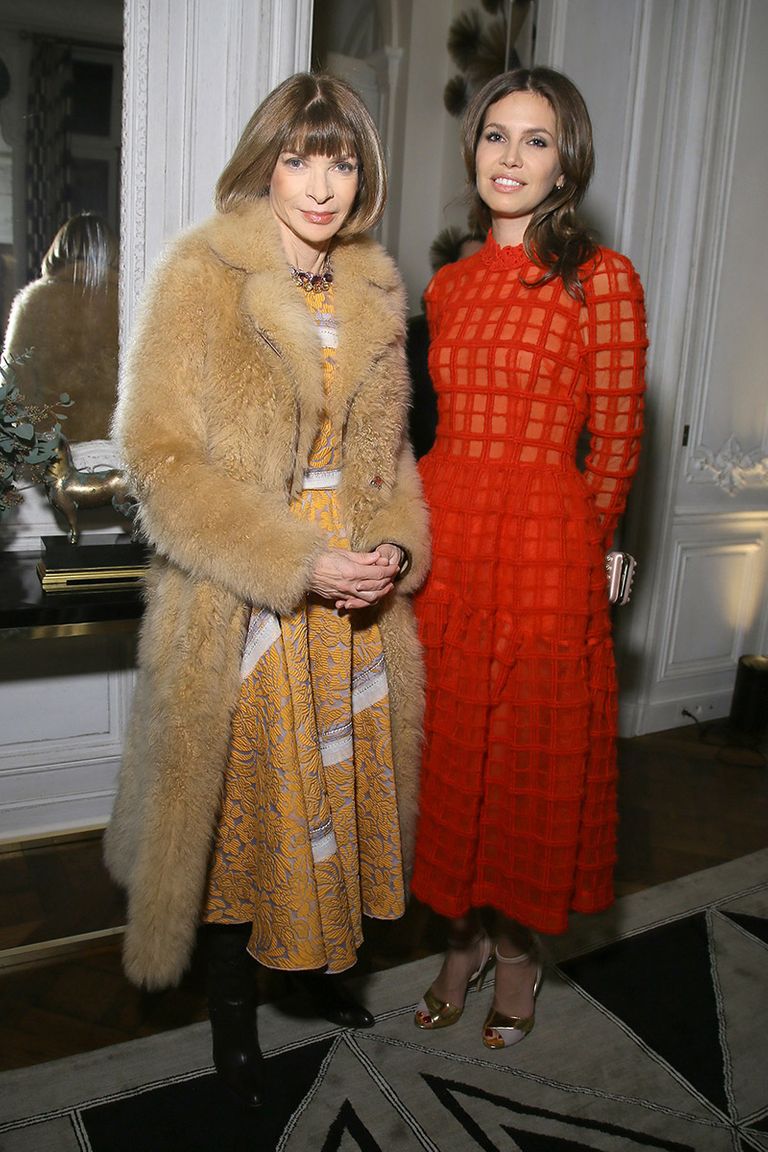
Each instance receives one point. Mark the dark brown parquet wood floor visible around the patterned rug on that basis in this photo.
(689, 800)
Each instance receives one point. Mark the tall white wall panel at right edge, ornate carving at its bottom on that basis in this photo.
(725, 374)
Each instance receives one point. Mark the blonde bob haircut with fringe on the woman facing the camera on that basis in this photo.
(310, 116)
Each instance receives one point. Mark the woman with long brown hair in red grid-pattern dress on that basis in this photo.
(537, 337)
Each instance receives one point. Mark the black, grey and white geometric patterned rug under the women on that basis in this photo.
(651, 1035)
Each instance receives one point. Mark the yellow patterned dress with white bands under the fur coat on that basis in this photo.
(308, 840)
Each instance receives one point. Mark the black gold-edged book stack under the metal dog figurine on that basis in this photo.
(96, 564)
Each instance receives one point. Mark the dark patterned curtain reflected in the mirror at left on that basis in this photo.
(49, 161)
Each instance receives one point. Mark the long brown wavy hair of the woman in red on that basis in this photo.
(554, 239)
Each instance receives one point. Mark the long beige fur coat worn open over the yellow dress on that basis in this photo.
(219, 407)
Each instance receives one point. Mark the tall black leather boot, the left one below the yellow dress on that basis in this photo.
(232, 1010)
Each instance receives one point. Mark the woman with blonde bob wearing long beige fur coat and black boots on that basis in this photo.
(270, 774)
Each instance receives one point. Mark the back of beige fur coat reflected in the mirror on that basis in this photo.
(72, 340)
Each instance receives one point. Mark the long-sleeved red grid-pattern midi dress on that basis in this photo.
(519, 798)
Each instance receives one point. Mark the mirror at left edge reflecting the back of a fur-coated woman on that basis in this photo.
(60, 134)
